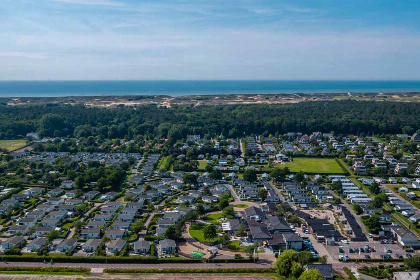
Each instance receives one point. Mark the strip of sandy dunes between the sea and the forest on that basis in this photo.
(200, 100)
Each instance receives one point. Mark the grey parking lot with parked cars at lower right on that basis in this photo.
(379, 249)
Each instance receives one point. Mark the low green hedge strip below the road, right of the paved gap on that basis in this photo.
(189, 270)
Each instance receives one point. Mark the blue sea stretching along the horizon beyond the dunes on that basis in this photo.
(179, 88)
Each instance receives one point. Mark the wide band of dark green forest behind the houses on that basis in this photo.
(355, 117)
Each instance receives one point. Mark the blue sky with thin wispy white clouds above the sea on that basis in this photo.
(209, 40)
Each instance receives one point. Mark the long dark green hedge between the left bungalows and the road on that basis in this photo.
(97, 259)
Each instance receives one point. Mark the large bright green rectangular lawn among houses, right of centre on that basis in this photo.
(314, 165)
